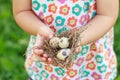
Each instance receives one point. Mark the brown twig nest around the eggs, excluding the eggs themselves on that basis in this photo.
(74, 37)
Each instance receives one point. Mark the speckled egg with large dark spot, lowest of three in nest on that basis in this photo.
(63, 54)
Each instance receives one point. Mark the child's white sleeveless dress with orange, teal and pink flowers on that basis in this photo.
(96, 61)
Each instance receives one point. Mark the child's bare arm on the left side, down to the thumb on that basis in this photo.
(26, 19)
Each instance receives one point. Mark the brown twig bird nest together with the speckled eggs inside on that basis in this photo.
(73, 37)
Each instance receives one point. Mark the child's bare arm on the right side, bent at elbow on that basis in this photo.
(107, 13)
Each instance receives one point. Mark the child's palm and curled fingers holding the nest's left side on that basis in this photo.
(41, 55)
